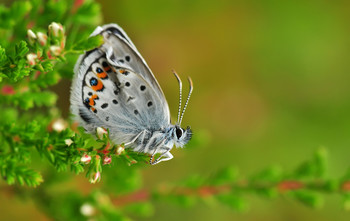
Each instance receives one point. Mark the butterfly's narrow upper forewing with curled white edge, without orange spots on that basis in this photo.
(122, 53)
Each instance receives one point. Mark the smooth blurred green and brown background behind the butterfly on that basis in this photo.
(271, 85)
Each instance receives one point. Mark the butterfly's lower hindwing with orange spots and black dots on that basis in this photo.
(103, 95)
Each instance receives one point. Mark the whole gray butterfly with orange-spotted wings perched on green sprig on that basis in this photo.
(114, 88)
